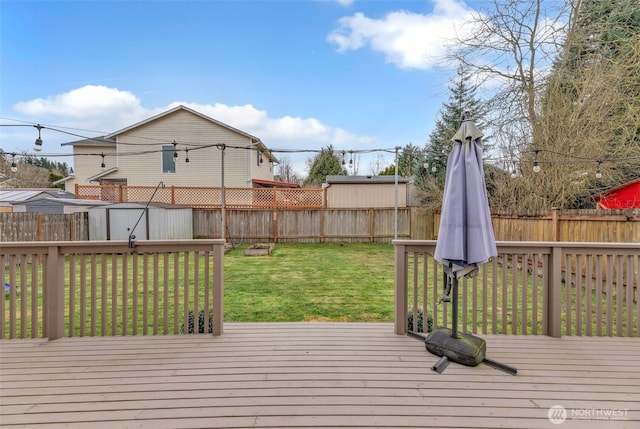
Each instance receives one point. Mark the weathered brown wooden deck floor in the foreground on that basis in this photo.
(277, 375)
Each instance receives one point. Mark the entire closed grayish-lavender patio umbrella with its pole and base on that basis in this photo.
(465, 240)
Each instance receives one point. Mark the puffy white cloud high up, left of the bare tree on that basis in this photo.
(406, 39)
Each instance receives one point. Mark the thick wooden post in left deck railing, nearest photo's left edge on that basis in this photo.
(54, 294)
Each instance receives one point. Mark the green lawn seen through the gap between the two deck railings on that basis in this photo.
(306, 282)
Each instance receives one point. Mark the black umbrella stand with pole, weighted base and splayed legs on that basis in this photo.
(454, 346)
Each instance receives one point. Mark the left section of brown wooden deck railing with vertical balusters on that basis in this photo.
(99, 288)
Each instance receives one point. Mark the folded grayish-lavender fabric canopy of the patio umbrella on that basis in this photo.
(465, 237)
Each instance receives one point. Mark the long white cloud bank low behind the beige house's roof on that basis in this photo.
(110, 109)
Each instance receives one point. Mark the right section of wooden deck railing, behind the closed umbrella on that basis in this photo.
(531, 288)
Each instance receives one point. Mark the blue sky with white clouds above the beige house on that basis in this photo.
(298, 74)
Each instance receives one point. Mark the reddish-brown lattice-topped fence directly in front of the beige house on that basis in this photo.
(207, 197)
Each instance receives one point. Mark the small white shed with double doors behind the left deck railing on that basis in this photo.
(158, 221)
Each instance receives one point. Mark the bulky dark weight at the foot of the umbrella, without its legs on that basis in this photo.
(465, 349)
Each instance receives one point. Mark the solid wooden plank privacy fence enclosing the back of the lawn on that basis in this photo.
(347, 225)
